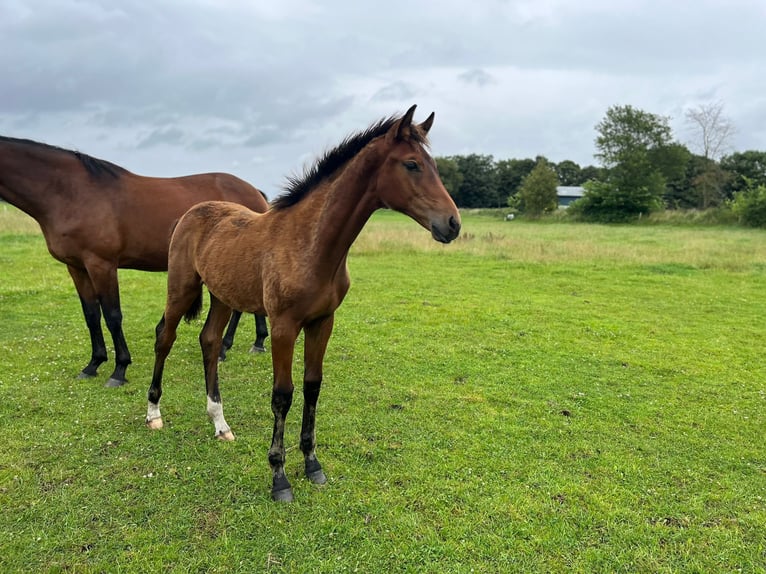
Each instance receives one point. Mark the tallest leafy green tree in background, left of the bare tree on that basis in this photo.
(630, 143)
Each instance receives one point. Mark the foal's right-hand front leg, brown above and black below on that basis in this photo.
(316, 337)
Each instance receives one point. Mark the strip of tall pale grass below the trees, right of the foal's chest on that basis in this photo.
(521, 241)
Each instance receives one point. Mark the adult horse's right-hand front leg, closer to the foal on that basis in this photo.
(104, 277)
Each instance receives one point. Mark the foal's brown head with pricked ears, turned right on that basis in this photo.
(409, 182)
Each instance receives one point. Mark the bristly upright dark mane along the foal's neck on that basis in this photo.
(297, 188)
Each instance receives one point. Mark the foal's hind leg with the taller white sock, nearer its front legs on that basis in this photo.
(210, 341)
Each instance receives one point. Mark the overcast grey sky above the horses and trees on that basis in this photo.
(259, 88)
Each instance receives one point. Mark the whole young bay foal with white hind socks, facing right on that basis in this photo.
(290, 264)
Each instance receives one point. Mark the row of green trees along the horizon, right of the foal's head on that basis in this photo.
(643, 169)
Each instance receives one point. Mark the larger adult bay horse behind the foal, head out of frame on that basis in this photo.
(97, 217)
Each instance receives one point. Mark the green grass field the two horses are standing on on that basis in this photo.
(532, 398)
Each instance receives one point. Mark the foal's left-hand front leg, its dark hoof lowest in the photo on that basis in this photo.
(284, 333)
